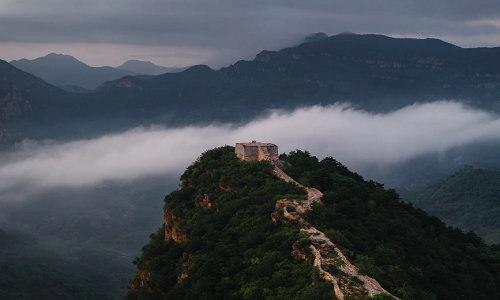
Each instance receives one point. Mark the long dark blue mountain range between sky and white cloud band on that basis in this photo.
(374, 72)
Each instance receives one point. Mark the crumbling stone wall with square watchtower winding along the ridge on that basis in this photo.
(346, 279)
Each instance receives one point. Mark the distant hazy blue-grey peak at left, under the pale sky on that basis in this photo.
(60, 70)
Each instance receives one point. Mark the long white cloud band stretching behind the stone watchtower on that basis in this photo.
(352, 136)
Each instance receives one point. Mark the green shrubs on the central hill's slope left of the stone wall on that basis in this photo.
(233, 249)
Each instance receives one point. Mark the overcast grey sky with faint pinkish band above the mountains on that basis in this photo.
(220, 32)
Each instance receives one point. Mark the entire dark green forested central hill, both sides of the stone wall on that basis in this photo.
(219, 240)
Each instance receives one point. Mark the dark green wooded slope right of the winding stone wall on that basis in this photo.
(412, 254)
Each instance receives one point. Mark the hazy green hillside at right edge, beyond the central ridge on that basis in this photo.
(469, 199)
